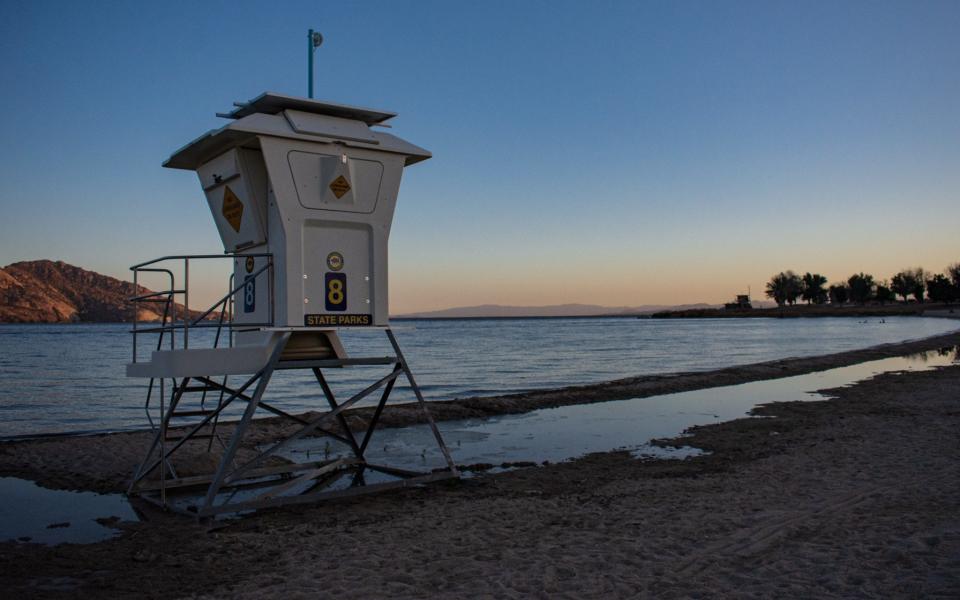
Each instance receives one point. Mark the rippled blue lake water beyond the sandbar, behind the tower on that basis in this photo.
(70, 378)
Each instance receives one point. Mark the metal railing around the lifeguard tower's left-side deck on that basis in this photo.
(169, 324)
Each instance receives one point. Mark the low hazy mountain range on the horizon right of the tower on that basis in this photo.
(556, 310)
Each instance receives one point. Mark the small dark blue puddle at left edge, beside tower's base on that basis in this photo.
(30, 513)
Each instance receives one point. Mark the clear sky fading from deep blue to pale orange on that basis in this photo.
(616, 153)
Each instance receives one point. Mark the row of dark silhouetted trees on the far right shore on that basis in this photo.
(786, 288)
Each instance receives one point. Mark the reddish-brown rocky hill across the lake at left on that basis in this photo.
(44, 291)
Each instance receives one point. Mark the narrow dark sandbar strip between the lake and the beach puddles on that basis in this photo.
(108, 459)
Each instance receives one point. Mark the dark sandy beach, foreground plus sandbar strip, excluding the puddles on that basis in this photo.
(856, 496)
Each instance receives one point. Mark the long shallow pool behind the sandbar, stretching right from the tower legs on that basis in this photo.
(568, 432)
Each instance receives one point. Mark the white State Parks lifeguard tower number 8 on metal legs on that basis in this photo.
(302, 193)
